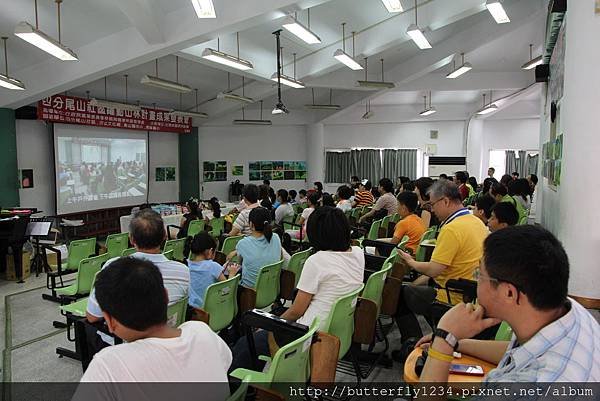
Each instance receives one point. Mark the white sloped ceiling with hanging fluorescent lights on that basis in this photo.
(117, 37)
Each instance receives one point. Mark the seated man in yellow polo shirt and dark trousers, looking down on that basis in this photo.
(458, 250)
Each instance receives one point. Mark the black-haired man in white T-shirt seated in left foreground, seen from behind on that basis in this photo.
(133, 299)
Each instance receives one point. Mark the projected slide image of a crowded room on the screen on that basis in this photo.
(100, 169)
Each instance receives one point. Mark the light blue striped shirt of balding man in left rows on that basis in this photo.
(176, 278)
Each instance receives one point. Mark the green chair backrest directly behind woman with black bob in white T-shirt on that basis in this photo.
(340, 321)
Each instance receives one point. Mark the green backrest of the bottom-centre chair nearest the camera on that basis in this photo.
(291, 363)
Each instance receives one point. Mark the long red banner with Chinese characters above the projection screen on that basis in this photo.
(76, 110)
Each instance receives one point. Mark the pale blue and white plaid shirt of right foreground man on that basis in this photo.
(566, 350)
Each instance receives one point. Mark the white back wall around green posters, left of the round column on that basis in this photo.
(242, 144)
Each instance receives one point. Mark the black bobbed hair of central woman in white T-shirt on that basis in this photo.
(328, 229)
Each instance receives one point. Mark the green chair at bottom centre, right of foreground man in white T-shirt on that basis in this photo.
(291, 363)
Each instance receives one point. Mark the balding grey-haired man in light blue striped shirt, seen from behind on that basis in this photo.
(147, 233)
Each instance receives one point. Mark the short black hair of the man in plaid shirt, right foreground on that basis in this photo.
(533, 260)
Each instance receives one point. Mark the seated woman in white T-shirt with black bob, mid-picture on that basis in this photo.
(329, 234)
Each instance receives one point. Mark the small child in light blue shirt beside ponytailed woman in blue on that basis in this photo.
(203, 270)
